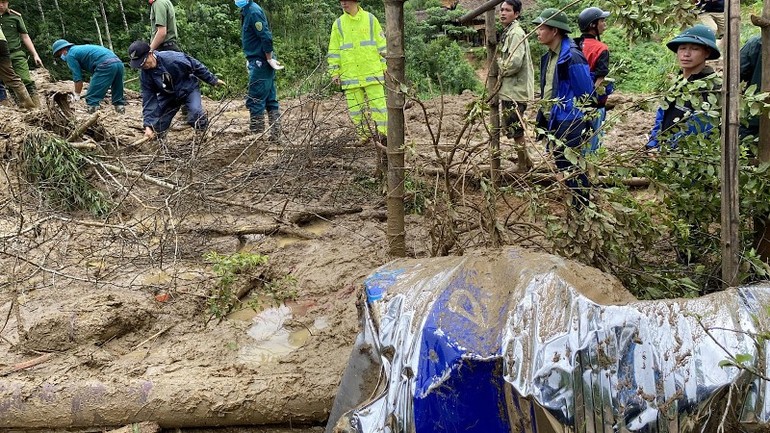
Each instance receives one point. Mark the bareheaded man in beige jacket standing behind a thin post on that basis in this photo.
(517, 76)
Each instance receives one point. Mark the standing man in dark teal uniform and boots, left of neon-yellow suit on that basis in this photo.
(257, 43)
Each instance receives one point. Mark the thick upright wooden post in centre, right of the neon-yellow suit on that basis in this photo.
(394, 79)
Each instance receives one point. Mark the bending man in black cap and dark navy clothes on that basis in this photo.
(169, 80)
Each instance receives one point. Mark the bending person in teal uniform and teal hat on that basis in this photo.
(106, 69)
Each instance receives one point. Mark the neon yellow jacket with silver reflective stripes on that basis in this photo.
(356, 50)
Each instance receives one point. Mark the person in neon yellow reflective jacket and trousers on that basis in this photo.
(356, 60)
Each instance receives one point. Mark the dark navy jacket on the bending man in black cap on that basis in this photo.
(175, 77)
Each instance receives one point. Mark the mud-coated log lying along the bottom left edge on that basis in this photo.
(176, 399)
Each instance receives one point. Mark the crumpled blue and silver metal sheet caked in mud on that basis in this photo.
(514, 341)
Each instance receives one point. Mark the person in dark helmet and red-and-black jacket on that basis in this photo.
(592, 23)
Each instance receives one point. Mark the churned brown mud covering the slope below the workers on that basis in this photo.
(105, 321)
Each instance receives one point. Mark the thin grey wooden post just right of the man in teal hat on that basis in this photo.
(729, 172)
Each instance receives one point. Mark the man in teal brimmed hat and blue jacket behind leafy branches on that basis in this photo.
(676, 120)
